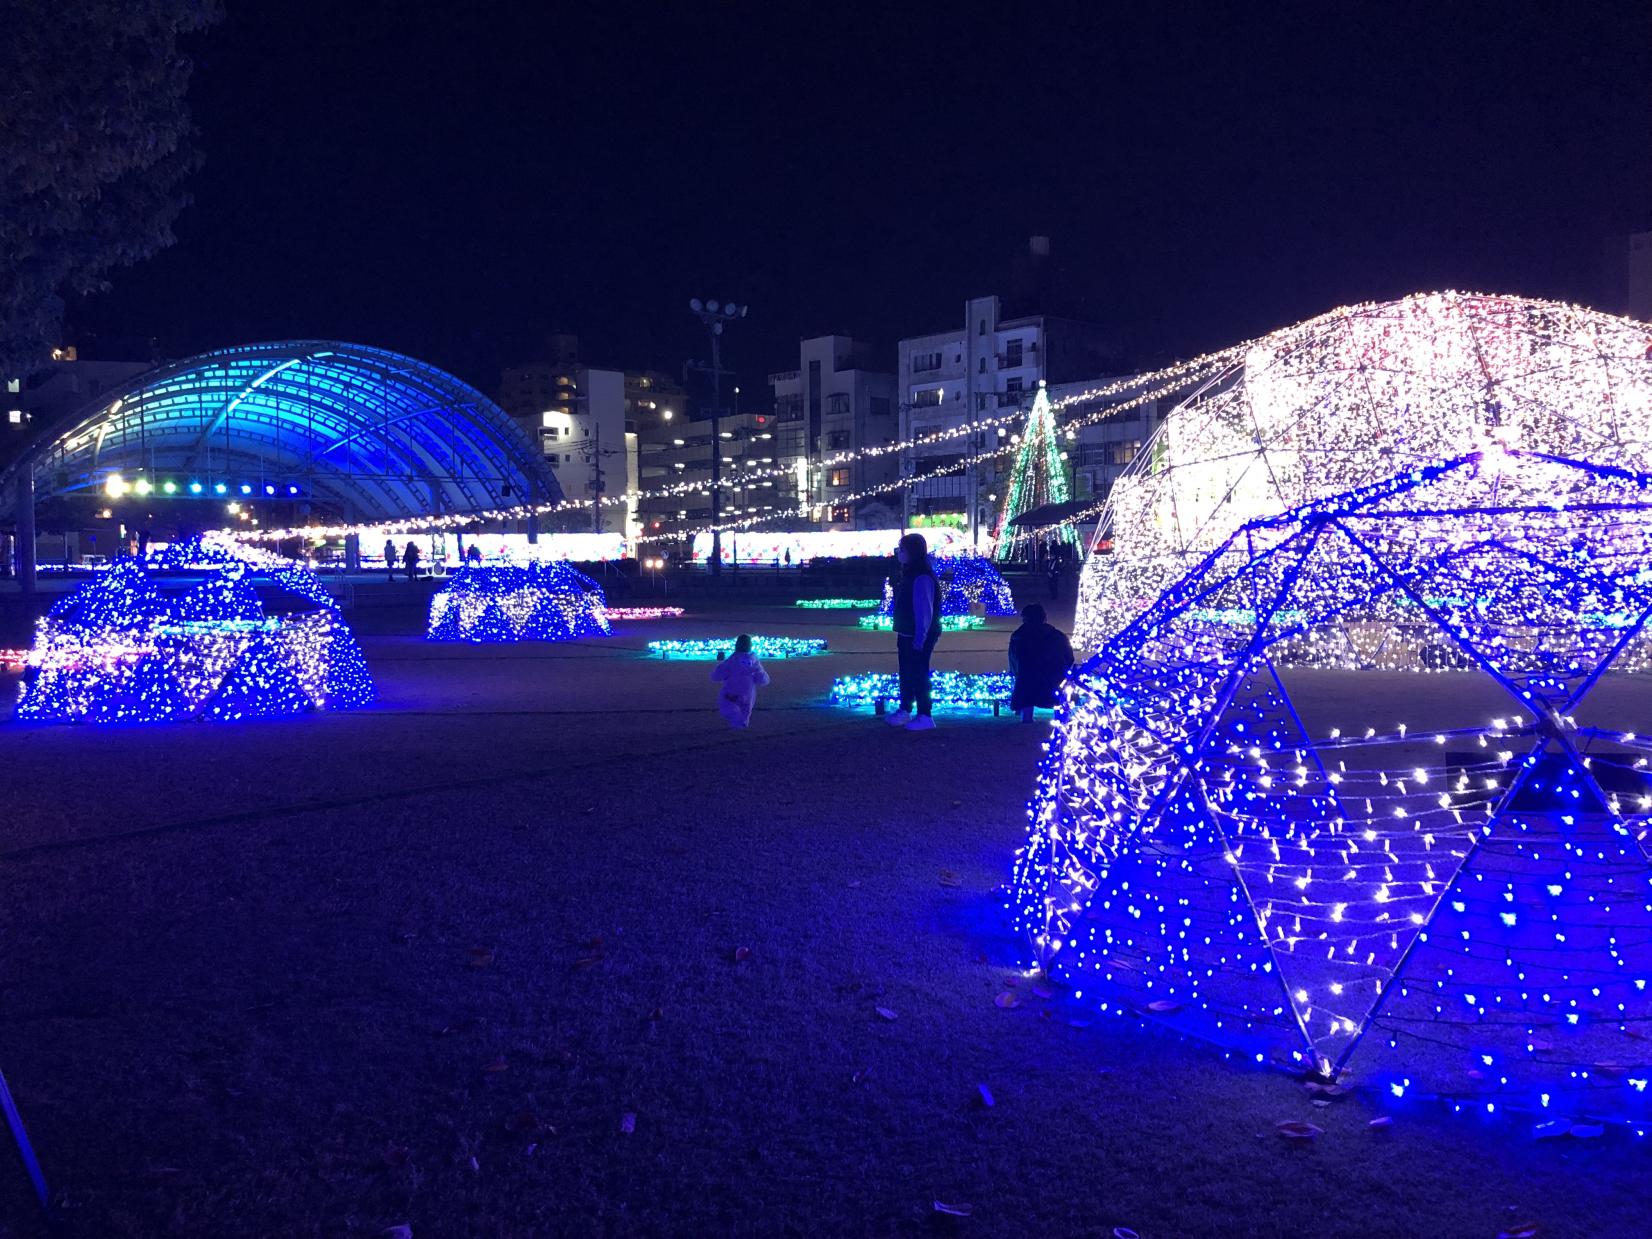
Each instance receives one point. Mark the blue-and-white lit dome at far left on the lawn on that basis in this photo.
(194, 630)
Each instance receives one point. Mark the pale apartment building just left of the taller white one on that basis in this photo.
(833, 404)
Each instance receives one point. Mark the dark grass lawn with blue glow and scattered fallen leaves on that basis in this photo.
(536, 946)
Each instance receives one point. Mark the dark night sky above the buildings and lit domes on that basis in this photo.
(457, 179)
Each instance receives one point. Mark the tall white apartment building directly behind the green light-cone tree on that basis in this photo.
(985, 368)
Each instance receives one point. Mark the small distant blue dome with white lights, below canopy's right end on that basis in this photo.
(533, 602)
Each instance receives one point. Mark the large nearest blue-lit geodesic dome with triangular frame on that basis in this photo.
(1275, 858)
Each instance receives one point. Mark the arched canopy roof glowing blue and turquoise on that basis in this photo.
(364, 434)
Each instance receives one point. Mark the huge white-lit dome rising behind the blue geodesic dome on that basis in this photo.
(1351, 399)
